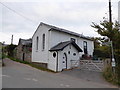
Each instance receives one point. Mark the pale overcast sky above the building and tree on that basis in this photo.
(21, 17)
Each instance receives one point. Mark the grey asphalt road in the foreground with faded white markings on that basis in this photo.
(17, 75)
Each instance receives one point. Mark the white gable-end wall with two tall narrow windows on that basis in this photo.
(40, 55)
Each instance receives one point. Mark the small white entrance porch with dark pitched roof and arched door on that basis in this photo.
(64, 53)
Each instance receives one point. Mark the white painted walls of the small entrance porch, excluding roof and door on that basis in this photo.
(53, 61)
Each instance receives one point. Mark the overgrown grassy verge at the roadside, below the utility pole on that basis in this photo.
(110, 76)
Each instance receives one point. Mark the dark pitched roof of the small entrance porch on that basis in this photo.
(62, 45)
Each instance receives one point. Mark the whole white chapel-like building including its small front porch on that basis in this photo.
(58, 48)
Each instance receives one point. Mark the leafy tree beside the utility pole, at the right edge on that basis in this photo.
(112, 31)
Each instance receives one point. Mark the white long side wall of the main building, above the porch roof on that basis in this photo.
(57, 37)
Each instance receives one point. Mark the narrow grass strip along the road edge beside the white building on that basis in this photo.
(30, 64)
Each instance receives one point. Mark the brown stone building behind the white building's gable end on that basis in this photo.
(24, 50)
